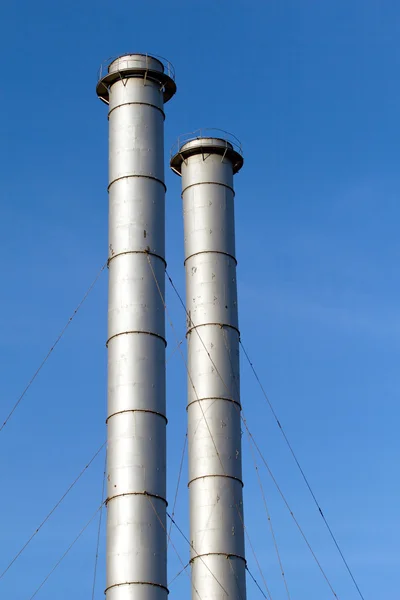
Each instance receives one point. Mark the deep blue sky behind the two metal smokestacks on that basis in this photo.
(311, 88)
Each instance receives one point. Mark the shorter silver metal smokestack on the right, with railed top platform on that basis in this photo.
(207, 166)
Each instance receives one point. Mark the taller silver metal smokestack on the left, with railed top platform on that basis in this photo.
(136, 86)
